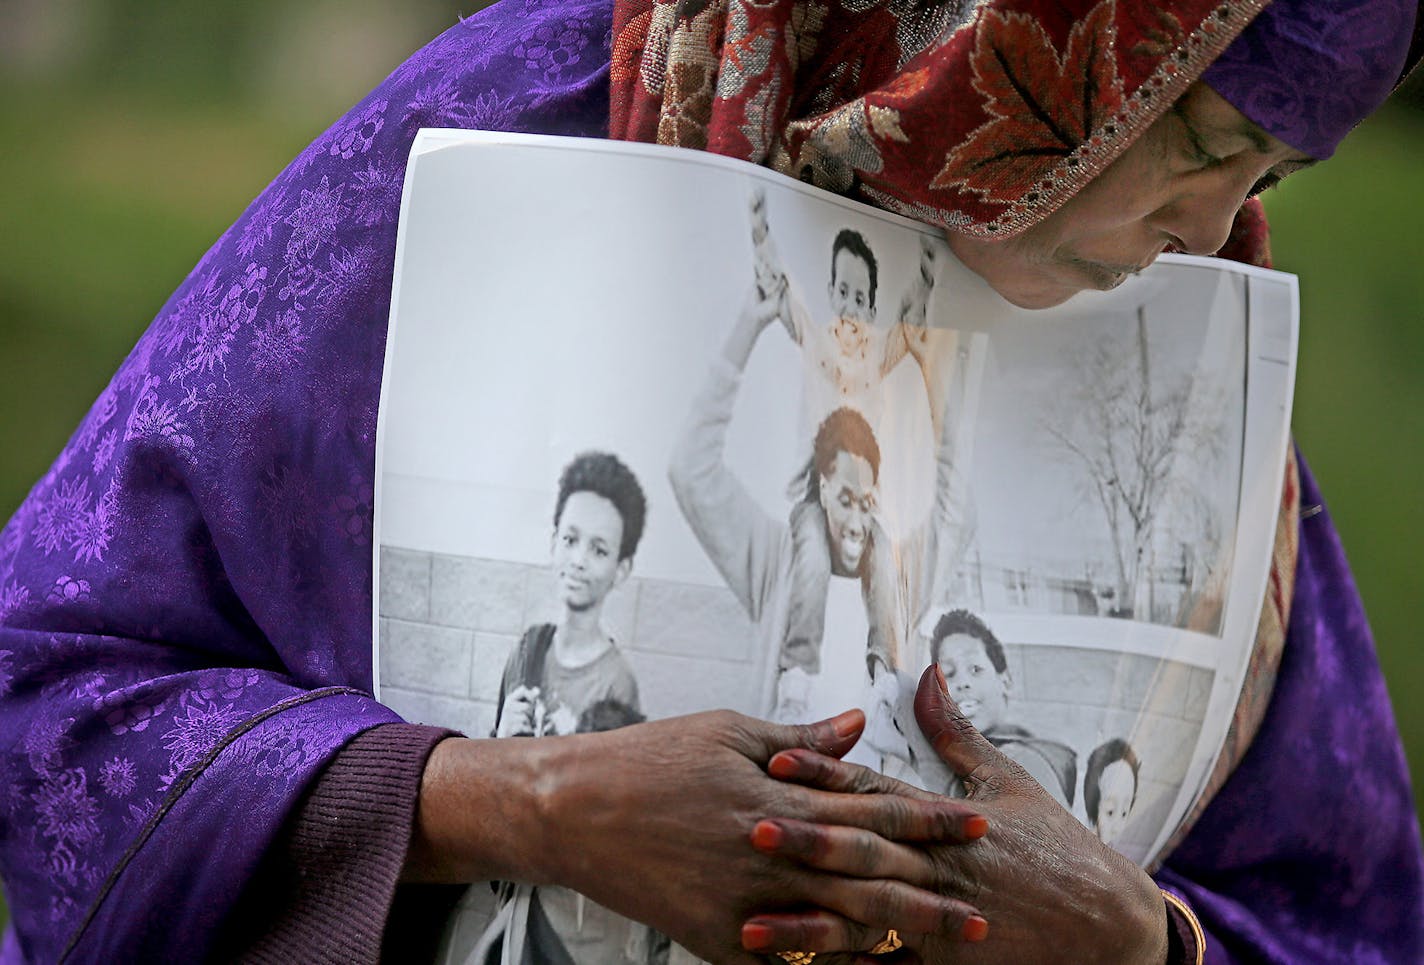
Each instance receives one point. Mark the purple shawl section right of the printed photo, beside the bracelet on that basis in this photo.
(1311, 853)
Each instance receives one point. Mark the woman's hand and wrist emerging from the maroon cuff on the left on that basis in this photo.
(656, 822)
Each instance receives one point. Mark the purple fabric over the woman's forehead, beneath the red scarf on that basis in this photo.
(1309, 72)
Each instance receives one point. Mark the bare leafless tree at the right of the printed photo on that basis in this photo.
(1129, 432)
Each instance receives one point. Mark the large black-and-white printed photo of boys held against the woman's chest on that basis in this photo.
(740, 445)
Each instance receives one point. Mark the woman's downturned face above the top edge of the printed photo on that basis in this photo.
(1178, 186)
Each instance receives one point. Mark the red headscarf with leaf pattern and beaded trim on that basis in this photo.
(982, 119)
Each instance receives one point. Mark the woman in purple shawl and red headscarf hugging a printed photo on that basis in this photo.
(194, 765)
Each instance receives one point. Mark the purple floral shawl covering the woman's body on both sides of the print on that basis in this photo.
(186, 597)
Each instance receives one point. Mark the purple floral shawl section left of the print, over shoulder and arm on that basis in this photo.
(186, 596)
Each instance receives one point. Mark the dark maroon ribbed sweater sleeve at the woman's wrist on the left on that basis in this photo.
(328, 890)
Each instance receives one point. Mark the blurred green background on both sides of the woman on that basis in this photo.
(135, 132)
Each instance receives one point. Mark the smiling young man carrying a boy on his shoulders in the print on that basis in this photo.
(757, 554)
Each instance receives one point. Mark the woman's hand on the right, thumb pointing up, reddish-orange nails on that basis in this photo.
(1047, 887)
